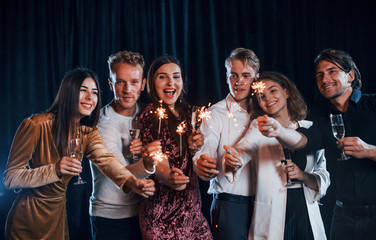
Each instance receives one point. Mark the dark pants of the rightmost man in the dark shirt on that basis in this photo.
(353, 222)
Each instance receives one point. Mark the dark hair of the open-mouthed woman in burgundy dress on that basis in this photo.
(172, 120)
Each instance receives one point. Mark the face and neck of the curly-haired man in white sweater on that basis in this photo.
(127, 83)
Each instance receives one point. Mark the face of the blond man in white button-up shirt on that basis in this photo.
(239, 79)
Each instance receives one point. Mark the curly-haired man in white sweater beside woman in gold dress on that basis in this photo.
(113, 213)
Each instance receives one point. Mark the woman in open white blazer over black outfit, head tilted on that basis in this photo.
(281, 212)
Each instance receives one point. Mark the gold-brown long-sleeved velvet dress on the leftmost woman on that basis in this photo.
(38, 211)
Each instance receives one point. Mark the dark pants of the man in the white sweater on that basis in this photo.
(115, 229)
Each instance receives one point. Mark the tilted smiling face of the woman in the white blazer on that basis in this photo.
(274, 99)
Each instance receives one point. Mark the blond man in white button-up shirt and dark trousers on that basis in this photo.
(232, 206)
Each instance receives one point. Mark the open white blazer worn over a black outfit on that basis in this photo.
(268, 220)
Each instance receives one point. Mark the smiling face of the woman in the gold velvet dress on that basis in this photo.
(88, 98)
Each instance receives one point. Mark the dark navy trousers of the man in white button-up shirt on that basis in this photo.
(231, 218)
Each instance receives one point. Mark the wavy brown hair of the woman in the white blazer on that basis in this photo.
(296, 106)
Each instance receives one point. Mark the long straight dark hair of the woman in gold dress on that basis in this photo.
(65, 107)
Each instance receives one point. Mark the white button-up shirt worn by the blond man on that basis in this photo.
(226, 126)
